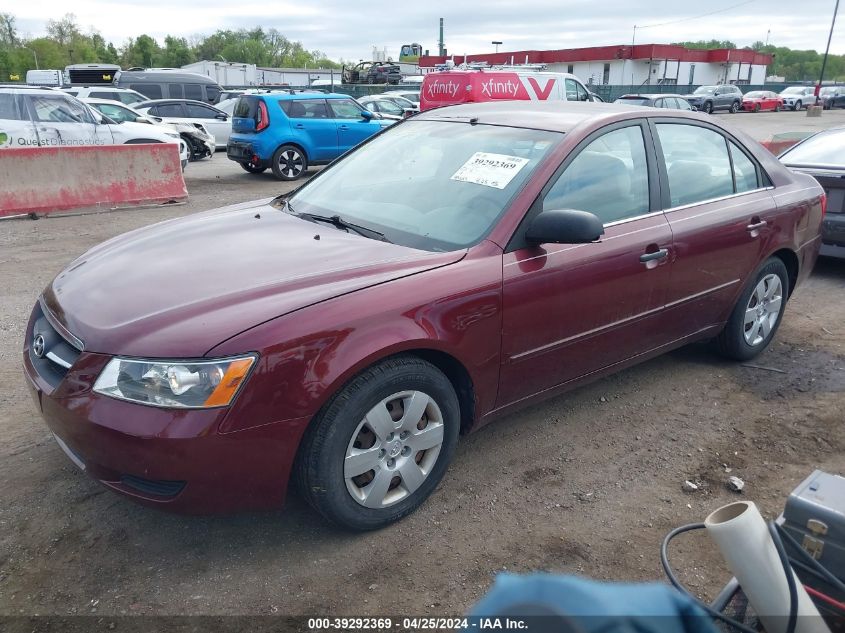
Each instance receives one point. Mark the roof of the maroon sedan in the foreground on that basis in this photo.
(555, 116)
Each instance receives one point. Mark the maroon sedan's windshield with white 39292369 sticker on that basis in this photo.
(432, 185)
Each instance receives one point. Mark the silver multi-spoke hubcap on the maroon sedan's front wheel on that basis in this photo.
(394, 449)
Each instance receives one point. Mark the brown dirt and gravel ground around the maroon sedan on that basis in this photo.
(587, 483)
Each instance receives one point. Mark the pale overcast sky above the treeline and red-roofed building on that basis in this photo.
(350, 29)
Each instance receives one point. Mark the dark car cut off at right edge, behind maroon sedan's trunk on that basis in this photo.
(822, 155)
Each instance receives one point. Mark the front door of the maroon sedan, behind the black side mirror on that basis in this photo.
(573, 309)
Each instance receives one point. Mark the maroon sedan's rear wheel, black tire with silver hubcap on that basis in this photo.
(753, 321)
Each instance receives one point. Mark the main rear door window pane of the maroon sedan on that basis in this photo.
(697, 163)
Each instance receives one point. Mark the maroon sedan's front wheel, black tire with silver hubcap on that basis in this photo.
(342, 430)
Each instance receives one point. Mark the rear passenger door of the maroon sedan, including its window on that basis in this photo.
(717, 203)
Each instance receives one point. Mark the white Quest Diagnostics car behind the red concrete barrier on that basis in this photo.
(44, 117)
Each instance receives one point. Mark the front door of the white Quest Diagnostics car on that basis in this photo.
(62, 121)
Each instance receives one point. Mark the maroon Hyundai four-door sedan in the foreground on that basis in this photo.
(466, 262)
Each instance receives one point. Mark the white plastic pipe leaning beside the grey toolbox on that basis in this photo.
(743, 537)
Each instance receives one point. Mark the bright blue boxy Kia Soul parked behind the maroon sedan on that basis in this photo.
(288, 132)
